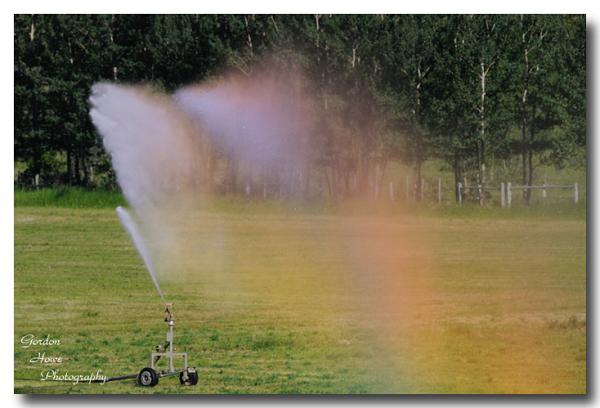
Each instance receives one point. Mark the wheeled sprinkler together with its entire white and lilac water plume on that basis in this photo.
(155, 144)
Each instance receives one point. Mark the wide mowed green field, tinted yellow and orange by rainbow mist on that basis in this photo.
(300, 303)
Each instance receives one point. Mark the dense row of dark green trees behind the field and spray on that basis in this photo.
(480, 93)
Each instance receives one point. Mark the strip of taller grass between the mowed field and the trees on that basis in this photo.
(71, 197)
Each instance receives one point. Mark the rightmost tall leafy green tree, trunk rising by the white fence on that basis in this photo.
(545, 80)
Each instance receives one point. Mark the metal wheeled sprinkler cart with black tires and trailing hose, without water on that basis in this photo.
(148, 376)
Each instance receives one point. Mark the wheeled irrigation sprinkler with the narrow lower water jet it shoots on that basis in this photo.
(149, 375)
